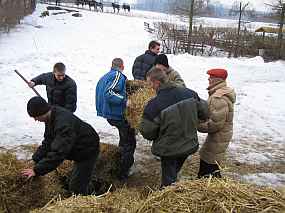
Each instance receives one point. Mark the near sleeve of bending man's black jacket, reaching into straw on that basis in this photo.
(60, 148)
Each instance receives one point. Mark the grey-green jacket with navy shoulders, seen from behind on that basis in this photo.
(175, 112)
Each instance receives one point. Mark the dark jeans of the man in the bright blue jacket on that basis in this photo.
(127, 145)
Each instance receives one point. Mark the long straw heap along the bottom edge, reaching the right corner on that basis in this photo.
(207, 195)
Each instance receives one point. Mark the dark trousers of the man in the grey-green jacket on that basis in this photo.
(170, 167)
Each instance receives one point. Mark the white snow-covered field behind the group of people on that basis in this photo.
(87, 46)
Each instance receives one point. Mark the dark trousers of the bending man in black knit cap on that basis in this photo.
(81, 175)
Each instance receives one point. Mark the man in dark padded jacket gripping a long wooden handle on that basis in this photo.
(61, 89)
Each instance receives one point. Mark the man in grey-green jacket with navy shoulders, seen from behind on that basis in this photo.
(170, 120)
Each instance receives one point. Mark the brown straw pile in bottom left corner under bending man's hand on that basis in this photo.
(17, 194)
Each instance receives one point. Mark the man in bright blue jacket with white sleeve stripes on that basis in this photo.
(111, 101)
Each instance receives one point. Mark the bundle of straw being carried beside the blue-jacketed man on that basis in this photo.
(139, 93)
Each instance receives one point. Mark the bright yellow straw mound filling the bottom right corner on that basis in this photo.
(214, 195)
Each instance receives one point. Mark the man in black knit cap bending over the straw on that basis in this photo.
(65, 137)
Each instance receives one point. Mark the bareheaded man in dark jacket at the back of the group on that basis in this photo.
(145, 62)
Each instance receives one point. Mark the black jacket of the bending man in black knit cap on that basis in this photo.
(66, 137)
